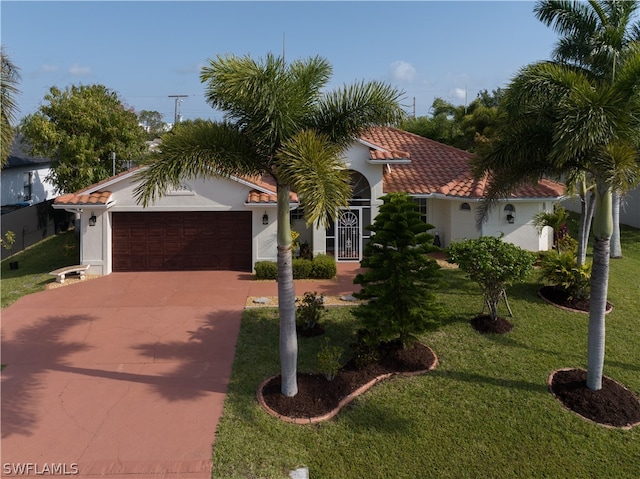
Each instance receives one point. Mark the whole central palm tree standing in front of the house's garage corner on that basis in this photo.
(278, 122)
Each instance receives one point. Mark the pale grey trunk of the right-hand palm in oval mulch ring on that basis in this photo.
(602, 228)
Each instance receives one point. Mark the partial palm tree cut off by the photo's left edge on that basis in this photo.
(9, 79)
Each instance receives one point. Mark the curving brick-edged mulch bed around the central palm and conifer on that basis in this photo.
(320, 400)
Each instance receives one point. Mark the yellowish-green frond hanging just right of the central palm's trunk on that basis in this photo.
(311, 164)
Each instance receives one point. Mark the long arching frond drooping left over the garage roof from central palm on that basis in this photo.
(200, 149)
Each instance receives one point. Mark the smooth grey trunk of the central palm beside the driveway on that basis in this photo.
(286, 298)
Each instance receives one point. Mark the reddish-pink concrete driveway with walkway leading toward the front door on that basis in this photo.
(125, 375)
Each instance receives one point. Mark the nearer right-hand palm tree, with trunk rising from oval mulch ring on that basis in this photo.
(559, 118)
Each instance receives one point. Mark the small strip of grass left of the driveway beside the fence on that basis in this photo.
(34, 266)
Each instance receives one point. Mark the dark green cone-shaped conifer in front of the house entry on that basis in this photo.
(400, 278)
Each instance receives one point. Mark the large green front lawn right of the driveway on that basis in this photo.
(484, 412)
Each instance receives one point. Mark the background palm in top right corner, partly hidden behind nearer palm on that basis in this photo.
(594, 37)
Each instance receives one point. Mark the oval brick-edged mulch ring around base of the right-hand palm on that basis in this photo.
(612, 406)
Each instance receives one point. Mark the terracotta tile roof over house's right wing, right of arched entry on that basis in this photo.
(436, 168)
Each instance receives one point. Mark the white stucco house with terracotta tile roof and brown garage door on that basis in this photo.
(229, 223)
